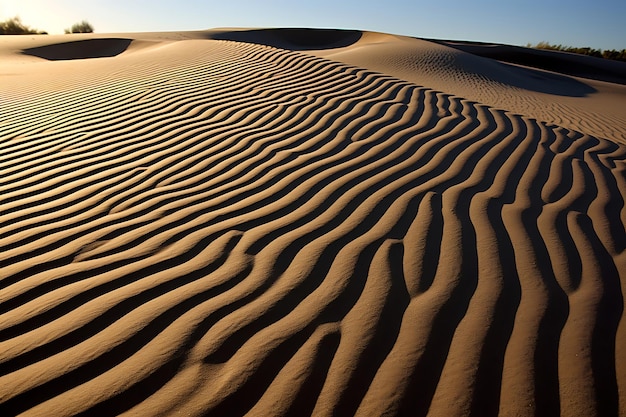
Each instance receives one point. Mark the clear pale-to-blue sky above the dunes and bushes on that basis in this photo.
(598, 24)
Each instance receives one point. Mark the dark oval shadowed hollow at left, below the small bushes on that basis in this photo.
(83, 49)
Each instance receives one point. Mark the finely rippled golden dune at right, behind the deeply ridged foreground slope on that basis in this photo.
(581, 104)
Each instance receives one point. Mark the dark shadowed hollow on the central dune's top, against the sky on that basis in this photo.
(295, 39)
